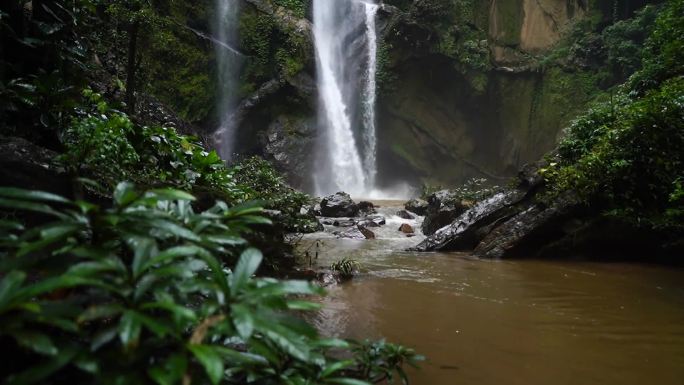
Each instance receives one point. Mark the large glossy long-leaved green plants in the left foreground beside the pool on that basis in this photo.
(151, 292)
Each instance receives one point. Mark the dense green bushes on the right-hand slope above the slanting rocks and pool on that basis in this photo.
(625, 154)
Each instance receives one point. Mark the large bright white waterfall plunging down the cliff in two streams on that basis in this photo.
(345, 39)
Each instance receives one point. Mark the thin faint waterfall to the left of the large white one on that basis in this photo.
(228, 62)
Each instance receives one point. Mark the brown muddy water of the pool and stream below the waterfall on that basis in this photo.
(508, 322)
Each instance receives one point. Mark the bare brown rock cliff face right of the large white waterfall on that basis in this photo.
(434, 115)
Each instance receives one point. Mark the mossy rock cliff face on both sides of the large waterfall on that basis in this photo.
(464, 89)
